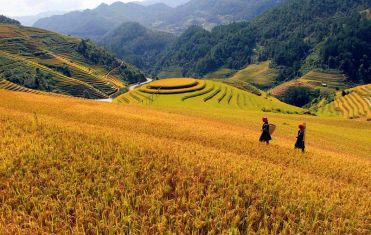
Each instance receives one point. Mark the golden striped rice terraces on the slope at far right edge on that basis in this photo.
(356, 104)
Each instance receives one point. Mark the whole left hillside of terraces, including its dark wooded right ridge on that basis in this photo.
(41, 60)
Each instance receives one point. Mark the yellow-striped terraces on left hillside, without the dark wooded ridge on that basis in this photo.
(27, 49)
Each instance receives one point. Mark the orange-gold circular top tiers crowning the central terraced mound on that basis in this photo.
(173, 86)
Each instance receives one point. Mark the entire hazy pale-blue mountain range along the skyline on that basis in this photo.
(95, 23)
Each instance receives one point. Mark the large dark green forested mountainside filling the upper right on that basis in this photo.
(297, 36)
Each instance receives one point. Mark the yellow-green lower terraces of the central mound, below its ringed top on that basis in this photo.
(212, 95)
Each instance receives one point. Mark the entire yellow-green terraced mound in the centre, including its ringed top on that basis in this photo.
(202, 94)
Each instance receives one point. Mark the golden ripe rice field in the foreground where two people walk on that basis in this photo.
(83, 167)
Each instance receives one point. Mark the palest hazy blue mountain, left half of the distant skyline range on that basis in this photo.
(94, 24)
